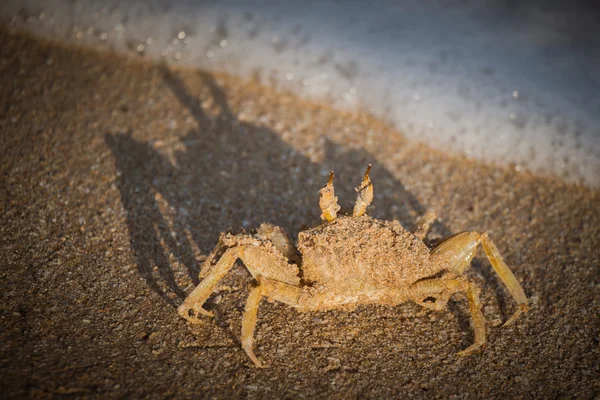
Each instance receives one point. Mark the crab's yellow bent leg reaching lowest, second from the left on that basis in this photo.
(275, 290)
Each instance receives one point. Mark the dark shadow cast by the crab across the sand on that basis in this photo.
(231, 174)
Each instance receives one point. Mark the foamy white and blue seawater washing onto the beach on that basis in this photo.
(509, 85)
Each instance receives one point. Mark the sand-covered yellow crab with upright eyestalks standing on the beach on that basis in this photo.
(351, 260)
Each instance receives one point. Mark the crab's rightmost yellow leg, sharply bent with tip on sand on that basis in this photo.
(459, 250)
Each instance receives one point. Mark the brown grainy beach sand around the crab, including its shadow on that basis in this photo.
(117, 177)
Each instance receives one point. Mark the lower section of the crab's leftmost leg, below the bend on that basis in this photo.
(196, 299)
